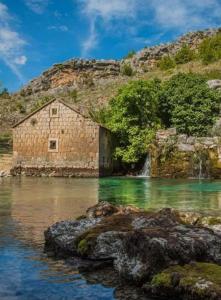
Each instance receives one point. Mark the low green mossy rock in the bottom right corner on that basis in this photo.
(195, 281)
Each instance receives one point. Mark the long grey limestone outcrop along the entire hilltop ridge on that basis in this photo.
(78, 73)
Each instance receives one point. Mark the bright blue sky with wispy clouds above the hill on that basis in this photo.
(35, 34)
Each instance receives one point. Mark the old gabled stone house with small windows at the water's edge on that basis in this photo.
(57, 140)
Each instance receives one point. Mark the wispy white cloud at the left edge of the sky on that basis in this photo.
(11, 43)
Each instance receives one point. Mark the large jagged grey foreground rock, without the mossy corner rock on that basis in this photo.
(139, 245)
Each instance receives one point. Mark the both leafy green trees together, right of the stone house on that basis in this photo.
(141, 107)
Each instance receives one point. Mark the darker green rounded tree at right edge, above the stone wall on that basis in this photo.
(187, 103)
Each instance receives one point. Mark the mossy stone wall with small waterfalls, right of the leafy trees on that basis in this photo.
(180, 156)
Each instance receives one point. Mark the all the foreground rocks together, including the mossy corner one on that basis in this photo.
(158, 254)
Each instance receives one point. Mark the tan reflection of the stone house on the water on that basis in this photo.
(37, 203)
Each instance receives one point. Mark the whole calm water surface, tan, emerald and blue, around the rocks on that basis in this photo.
(29, 205)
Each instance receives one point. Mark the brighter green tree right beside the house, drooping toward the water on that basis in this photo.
(132, 116)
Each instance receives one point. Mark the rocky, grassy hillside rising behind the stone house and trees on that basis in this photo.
(89, 84)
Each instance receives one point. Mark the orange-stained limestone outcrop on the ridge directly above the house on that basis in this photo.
(75, 73)
